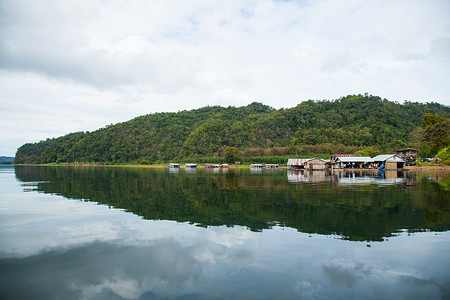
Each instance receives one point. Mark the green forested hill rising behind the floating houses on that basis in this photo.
(352, 121)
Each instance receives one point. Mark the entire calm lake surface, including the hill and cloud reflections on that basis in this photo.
(132, 233)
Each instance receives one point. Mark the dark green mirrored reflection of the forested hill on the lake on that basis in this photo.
(354, 205)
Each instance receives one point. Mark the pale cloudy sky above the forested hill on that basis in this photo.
(79, 65)
